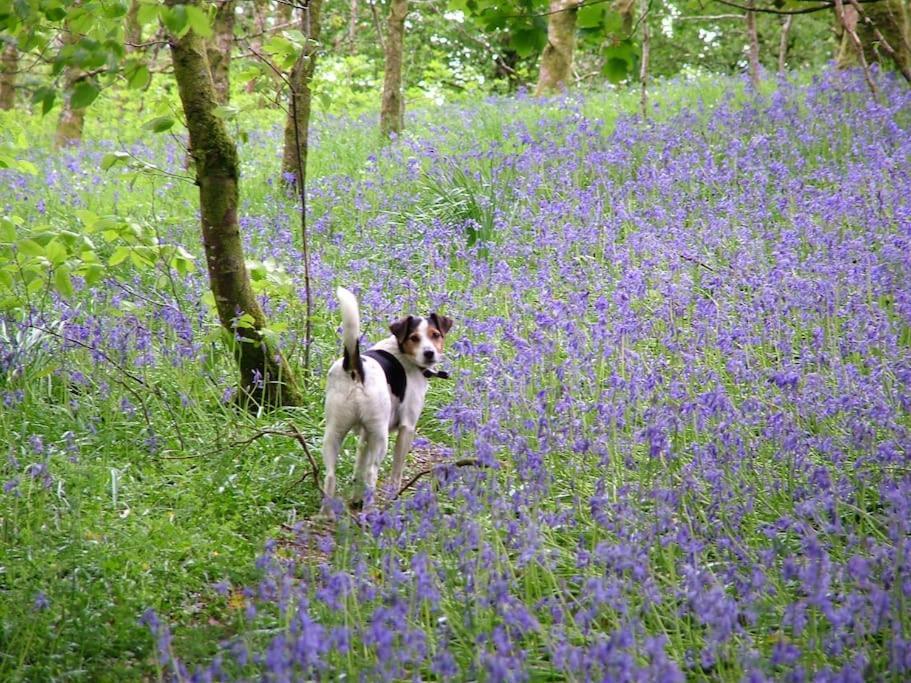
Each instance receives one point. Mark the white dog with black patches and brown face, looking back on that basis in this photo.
(378, 392)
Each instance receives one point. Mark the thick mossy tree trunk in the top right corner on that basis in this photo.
(890, 19)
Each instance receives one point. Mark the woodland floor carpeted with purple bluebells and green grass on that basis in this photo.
(682, 359)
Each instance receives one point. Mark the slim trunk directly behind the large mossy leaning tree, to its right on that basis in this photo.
(294, 157)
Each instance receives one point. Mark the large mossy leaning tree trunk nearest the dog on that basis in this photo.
(265, 378)
